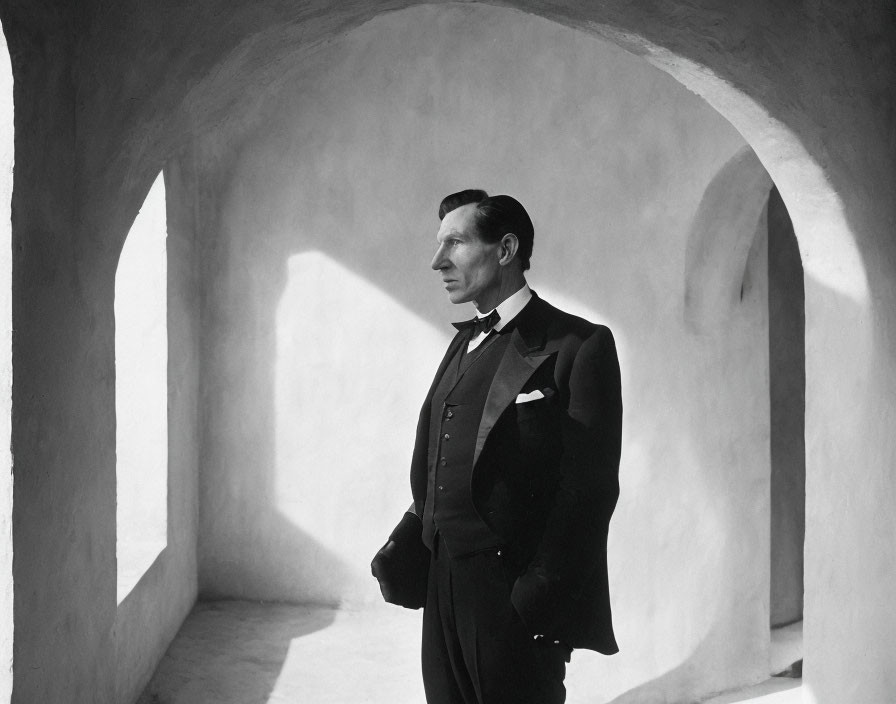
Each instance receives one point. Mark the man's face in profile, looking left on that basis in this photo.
(469, 266)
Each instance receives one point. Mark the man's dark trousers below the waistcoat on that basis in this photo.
(476, 649)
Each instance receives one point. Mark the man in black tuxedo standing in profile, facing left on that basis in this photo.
(514, 477)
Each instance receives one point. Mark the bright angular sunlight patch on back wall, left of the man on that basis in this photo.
(353, 366)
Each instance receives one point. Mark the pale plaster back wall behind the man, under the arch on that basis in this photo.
(324, 324)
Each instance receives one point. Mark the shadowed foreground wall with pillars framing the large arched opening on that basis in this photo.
(105, 94)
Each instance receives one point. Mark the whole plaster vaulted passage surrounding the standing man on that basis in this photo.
(709, 182)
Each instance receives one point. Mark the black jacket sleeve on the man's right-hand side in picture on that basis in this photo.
(573, 544)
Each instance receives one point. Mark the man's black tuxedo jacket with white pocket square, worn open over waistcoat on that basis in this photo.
(545, 471)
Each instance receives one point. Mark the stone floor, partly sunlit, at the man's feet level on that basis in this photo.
(247, 653)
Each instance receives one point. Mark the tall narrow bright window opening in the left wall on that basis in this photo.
(141, 392)
